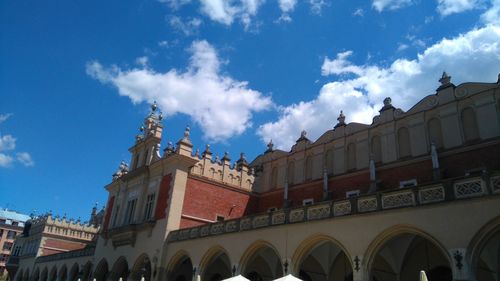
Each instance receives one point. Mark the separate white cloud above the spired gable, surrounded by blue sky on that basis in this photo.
(220, 105)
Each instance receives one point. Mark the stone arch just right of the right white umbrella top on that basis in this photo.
(323, 255)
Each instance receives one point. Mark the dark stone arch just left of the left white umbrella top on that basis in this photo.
(215, 264)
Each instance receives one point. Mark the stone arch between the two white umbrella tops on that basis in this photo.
(261, 262)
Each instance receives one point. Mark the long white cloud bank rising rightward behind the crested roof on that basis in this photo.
(473, 56)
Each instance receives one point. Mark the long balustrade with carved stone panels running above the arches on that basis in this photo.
(400, 198)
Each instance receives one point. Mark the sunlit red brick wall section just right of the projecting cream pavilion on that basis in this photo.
(206, 200)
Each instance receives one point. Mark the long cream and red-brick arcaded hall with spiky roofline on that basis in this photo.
(415, 190)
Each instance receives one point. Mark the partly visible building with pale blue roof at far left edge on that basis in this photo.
(11, 225)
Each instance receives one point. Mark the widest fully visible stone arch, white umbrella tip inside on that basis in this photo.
(400, 252)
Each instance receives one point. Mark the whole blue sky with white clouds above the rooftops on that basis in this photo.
(76, 77)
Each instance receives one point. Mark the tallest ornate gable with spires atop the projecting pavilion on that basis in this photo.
(147, 143)
